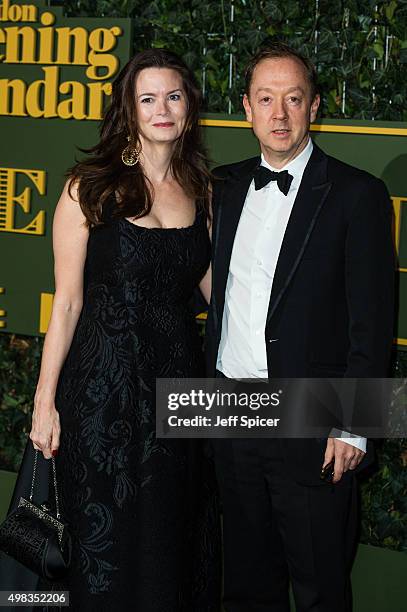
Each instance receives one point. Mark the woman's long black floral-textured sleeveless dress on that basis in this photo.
(143, 511)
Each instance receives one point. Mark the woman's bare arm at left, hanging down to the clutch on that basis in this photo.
(70, 236)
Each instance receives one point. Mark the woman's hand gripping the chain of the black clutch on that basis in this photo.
(46, 428)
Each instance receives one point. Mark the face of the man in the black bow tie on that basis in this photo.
(280, 107)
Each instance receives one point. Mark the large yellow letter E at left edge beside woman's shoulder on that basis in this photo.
(9, 199)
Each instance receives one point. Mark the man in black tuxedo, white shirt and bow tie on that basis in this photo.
(302, 287)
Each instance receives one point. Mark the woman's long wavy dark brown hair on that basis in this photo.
(103, 174)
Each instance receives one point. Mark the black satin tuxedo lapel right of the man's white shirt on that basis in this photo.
(311, 196)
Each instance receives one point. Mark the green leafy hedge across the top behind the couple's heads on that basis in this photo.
(359, 46)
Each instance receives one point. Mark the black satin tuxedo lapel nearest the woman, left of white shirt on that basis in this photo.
(229, 211)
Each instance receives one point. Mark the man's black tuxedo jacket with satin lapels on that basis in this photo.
(331, 306)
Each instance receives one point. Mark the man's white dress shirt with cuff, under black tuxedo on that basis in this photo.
(259, 236)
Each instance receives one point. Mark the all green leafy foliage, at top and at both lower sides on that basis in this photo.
(360, 49)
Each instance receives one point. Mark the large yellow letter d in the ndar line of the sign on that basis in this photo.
(45, 90)
